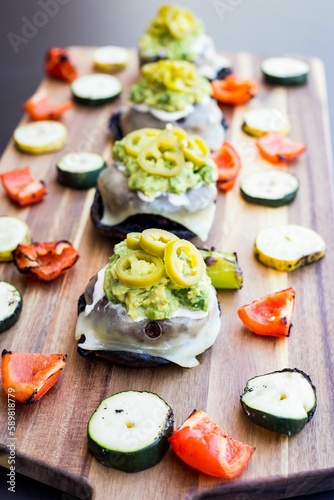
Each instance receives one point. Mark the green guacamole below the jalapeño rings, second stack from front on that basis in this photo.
(190, 176)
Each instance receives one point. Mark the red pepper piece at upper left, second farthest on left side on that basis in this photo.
(39, 107)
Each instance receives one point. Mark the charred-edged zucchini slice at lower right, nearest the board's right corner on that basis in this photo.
(282, 401)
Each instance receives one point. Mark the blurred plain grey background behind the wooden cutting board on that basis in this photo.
(266, 27)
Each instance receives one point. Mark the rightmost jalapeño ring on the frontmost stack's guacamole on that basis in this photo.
(184, 264)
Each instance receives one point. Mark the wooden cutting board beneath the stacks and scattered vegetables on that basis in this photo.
(51, 442)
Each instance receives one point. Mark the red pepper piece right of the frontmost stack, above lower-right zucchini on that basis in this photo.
(270, 315)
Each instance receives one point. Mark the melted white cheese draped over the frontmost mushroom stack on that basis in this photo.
(187, 335)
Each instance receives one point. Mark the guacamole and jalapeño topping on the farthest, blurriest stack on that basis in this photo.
(172, 34)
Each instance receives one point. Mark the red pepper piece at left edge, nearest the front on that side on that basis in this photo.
(26, 377)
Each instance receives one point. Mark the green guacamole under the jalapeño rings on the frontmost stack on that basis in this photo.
(158, 302)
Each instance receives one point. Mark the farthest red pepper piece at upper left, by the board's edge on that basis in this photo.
(59, 65)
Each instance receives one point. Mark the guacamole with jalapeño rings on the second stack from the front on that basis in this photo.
(164, 161)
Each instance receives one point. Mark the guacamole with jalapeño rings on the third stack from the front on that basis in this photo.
(170, 86)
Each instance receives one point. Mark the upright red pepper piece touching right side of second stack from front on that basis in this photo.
(228, 164)
